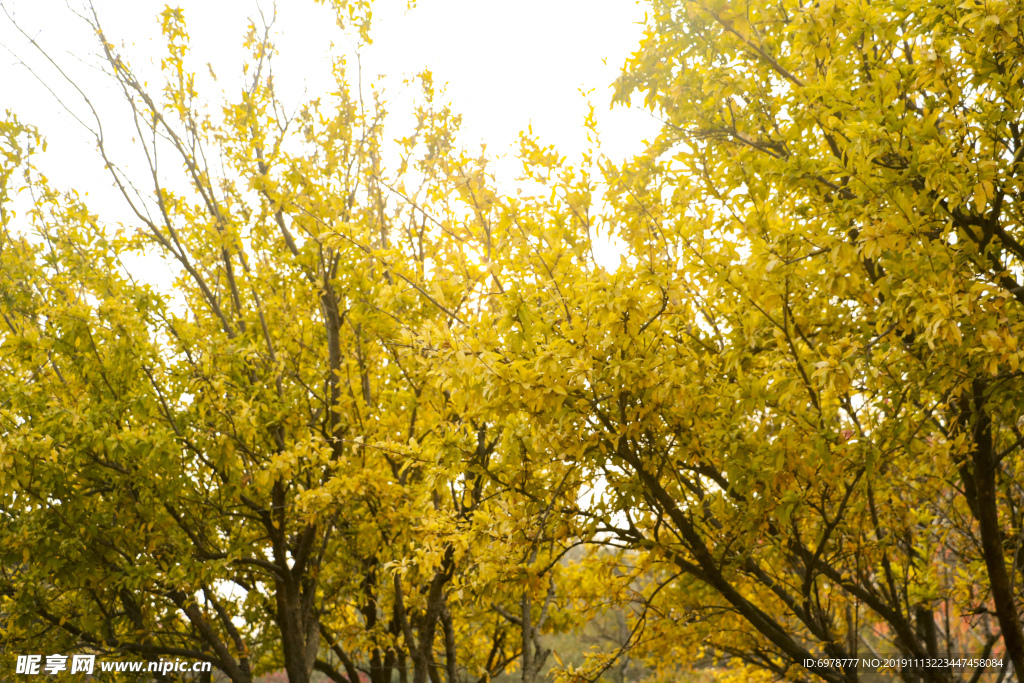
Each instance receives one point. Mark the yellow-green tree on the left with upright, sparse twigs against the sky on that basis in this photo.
(252, 471)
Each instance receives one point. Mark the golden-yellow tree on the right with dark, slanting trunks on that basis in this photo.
(800, 393)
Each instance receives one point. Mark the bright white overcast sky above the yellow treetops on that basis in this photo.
(506, 65)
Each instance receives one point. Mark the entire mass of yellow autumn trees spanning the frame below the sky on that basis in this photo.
(395, 422)
